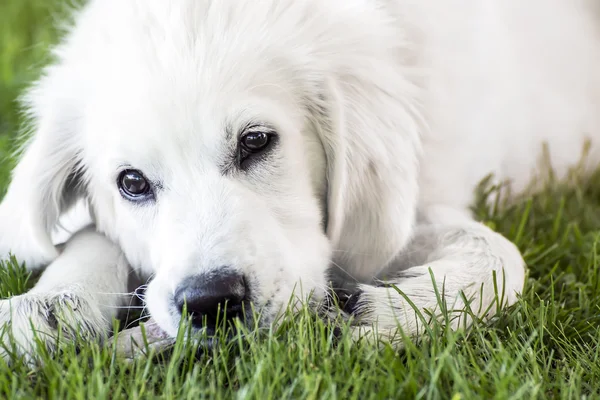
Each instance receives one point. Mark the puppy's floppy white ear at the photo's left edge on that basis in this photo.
(45, 181)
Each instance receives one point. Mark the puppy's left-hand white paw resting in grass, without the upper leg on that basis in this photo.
(49, 320)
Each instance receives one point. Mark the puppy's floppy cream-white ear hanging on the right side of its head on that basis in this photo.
(372, 146)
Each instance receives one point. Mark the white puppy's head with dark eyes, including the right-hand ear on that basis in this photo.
(235, 150)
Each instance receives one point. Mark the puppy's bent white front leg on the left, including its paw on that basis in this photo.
(83, 288)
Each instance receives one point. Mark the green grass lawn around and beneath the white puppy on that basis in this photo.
(545, 346)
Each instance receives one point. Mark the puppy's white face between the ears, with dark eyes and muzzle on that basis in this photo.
(210, 179)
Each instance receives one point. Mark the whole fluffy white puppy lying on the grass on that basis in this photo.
(383, 117)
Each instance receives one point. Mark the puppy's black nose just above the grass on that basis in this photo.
(212, 298)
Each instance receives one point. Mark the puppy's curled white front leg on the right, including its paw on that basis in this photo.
(474, 269)
